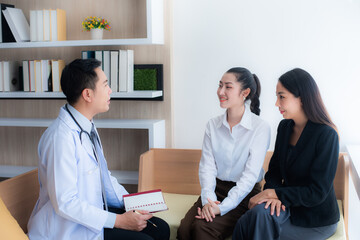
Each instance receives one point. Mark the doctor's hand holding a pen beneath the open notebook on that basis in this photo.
(132, 220)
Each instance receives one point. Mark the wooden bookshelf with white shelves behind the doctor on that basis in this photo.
(132, 28)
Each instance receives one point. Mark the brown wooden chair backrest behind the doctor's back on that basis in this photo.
(20, 194)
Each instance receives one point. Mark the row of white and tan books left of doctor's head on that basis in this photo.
(42, 75)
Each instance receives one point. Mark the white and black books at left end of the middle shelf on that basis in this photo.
(9, 76)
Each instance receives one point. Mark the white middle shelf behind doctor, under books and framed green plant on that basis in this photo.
(60, 95)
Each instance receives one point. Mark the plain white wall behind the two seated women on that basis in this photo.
(269, 38)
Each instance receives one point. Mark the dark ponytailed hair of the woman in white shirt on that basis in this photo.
(248, 80)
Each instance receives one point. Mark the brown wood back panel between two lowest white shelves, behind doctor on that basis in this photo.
(24, 143)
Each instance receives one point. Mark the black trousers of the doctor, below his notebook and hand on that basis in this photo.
(162, 232)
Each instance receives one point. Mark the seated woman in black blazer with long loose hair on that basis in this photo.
(299, 200)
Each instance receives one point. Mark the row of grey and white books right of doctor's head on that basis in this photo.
(118, 66)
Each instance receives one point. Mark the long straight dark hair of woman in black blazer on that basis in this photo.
(301, 84)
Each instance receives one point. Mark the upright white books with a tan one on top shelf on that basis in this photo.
(47, 25)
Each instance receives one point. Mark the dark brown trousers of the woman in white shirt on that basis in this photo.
(222, 226)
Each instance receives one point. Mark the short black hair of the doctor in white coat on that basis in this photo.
(78, 75)
